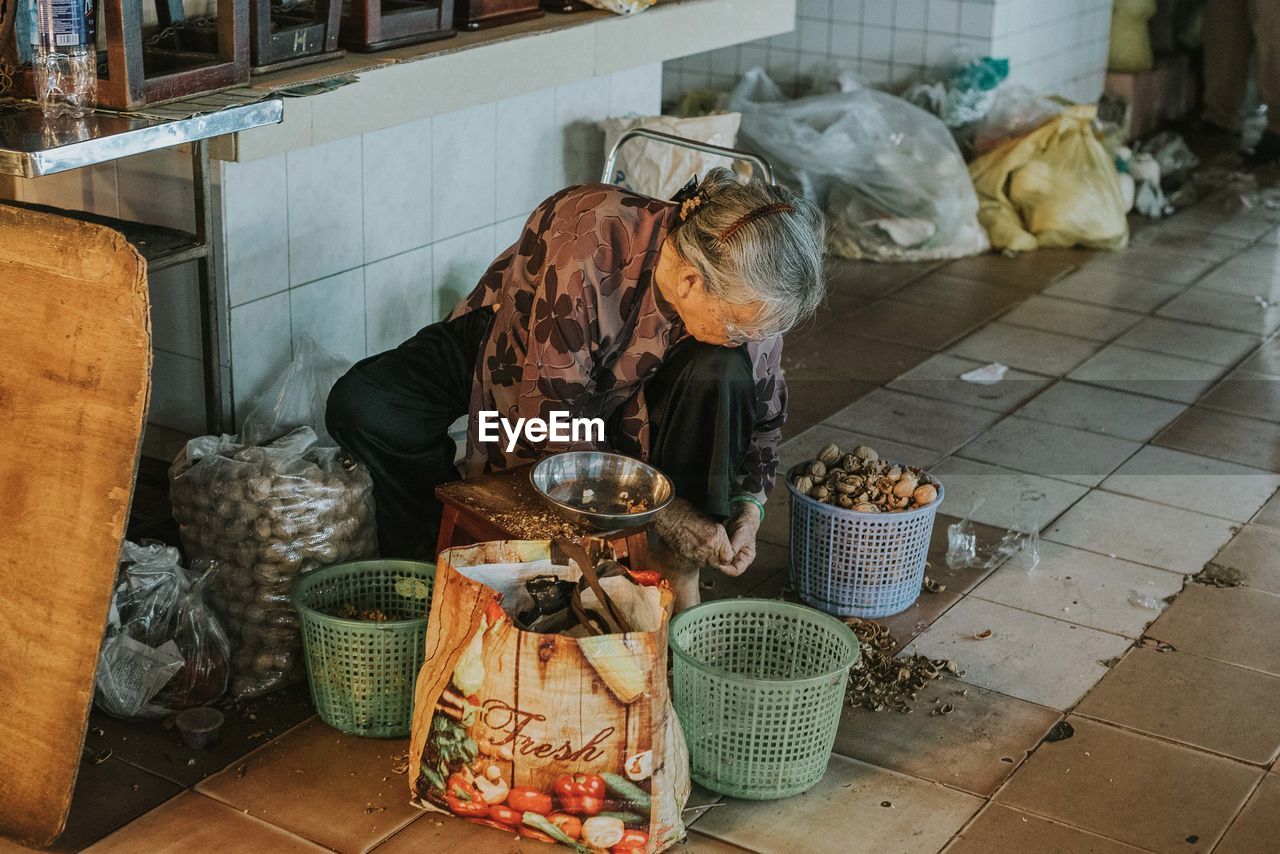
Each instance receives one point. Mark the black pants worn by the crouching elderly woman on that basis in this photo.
(394, 412)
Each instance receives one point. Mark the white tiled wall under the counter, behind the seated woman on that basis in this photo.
(358, 243)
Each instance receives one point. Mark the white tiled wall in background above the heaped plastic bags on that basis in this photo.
(1053, 45)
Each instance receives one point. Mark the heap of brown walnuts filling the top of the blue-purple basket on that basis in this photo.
(861, 481)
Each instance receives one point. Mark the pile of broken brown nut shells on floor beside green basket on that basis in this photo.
(880, 682)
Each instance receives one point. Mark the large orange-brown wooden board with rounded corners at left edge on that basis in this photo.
(76, 349)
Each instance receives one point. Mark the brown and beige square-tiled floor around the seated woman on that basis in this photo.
(1139, 431)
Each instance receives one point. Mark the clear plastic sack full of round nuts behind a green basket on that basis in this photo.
(258, 517)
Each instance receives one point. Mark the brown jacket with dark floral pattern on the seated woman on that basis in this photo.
(579, 328)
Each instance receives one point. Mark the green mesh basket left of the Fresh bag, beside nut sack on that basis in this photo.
(363, 674)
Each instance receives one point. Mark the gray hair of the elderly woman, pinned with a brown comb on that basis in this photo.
(746, 258)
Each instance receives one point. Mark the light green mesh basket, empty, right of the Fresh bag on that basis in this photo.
(758, 687)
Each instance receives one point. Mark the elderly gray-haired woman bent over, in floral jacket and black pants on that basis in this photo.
(662, 319)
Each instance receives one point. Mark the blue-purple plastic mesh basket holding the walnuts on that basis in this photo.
(858, 565)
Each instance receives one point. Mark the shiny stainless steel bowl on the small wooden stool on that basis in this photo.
(596, 488)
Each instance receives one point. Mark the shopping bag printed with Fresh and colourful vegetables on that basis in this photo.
(555, 738)
